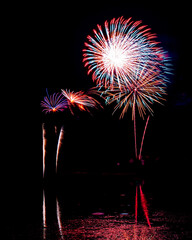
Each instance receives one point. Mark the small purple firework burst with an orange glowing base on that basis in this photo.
(54, 103)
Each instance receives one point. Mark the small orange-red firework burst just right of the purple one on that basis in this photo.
(79, 99)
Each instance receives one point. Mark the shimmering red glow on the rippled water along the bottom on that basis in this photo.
(116, 227)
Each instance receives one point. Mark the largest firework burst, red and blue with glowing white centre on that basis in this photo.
(124, 47)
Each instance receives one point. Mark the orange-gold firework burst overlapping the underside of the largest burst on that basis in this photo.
(144, 90)
